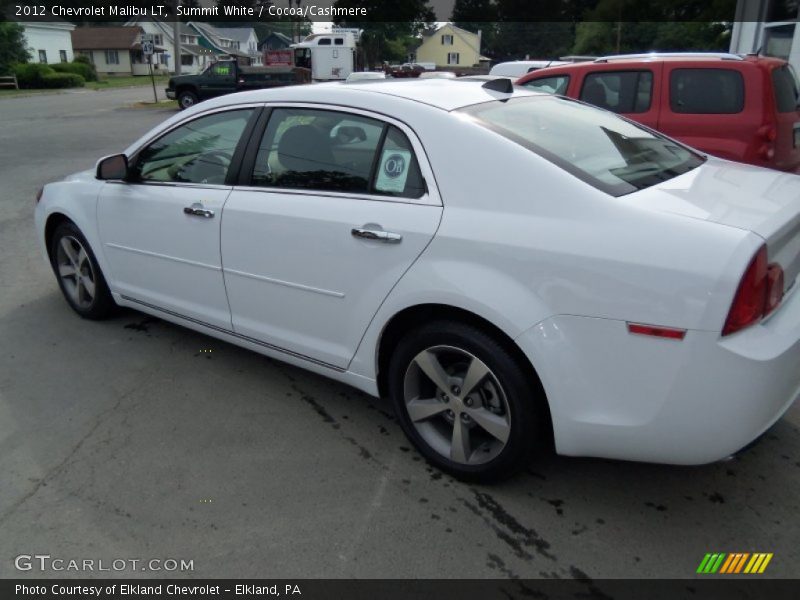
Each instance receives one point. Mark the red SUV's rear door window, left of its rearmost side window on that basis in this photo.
(619, 91)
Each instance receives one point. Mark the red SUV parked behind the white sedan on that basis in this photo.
(743, 108)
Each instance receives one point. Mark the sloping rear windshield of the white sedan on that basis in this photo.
(604, 150)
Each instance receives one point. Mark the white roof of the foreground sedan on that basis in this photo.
(446, 94)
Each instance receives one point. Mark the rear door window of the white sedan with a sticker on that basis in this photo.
(333, 151)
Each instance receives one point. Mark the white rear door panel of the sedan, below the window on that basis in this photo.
(298, 279)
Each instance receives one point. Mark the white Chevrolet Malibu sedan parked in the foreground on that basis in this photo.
(510, 268)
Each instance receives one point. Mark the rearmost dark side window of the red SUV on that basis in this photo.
(706, 91)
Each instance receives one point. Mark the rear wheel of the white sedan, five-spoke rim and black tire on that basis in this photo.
(465, 402)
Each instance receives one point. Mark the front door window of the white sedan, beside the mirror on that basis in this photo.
(200, 151)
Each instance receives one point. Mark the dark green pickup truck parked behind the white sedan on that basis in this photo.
(227, 76)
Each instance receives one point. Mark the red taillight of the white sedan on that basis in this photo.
(760, 292)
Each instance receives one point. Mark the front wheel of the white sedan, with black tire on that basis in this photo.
(86, 291)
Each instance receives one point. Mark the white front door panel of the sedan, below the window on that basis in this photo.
(158, 255)
